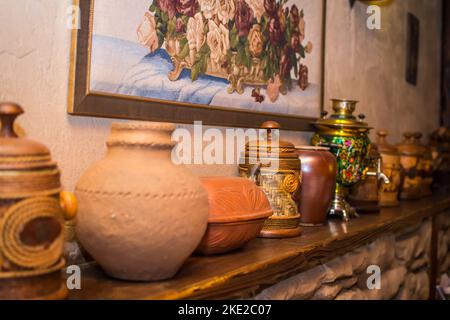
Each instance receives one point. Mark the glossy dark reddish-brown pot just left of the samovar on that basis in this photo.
(319, 171)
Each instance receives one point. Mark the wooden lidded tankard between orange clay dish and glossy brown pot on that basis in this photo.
(275, 167)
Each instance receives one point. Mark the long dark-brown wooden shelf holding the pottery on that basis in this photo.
(263, 262)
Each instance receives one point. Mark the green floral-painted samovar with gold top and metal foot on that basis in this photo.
(348, 139)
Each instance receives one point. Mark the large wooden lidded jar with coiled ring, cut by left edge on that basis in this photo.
(32, 212)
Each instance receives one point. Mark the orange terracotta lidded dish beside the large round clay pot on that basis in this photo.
(237, 212)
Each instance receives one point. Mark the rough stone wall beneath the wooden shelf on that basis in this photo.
(403, 259)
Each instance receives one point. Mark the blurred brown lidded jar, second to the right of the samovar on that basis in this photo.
(410, 156)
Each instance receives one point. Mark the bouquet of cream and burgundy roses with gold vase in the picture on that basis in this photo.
(245, 42)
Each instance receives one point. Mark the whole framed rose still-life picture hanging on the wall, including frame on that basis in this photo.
(224, 62)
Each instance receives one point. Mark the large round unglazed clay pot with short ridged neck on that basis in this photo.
(140, 216)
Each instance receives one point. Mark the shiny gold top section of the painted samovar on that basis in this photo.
(343, 116)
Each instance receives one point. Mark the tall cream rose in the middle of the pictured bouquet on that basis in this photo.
(218, 42)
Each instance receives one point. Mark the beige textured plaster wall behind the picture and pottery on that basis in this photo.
(361, 64)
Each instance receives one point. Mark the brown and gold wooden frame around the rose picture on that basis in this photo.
(83, 101)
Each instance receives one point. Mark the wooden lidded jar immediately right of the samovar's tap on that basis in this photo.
(392, 168)
